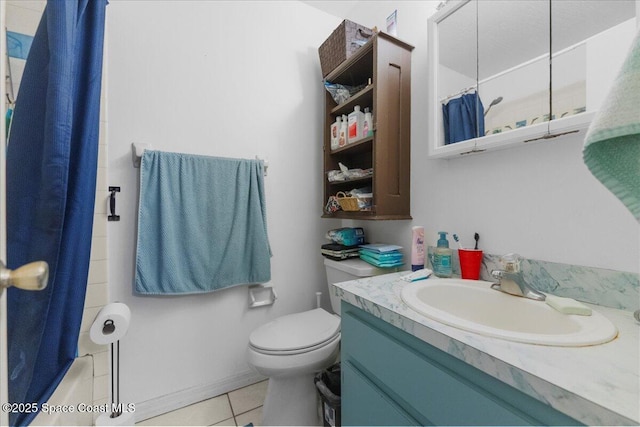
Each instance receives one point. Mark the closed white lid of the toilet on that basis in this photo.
(296, 331)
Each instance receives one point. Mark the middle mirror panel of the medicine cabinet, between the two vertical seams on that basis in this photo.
(513, 64)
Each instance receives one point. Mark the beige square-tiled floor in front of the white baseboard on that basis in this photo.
(236, 408)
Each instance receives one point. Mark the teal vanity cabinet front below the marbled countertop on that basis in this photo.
(390, 377)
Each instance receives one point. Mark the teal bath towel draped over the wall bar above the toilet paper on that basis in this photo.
(201, 224)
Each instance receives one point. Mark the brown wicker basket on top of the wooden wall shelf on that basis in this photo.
(341, 44)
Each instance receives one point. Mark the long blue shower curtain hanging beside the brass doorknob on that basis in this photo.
(51, 171)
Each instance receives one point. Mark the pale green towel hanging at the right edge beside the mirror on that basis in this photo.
(612, 145)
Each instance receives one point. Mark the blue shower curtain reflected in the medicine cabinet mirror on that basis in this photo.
(463, 118)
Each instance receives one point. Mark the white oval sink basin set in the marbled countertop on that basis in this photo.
(472, 305)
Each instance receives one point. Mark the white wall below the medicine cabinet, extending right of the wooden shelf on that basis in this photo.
(538, 200)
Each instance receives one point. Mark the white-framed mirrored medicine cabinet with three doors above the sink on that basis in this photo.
(504, 73)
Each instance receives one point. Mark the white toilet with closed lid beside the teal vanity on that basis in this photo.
(292, 348)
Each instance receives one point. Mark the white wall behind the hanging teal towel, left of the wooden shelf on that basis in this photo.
(230, 79)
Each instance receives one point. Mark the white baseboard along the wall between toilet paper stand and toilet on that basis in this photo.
(170, 402)
